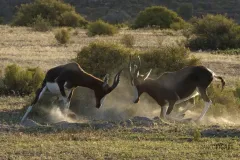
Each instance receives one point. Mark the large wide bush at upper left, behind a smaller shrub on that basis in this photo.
(56, 12)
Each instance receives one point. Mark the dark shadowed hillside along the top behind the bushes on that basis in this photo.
(126, 10)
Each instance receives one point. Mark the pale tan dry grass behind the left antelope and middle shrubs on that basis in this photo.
(26, 47)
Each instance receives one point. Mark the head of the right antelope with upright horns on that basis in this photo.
(137, 79)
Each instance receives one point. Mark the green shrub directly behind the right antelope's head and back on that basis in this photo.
(167, 58)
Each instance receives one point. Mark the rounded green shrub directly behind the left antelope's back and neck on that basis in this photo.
(100, 58)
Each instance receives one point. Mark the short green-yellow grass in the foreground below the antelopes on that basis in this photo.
(163, 141)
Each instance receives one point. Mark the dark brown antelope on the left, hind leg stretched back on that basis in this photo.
(62, 80)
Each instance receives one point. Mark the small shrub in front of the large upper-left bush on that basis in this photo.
(41, 24)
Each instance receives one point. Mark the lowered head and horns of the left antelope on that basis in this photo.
(100, 94)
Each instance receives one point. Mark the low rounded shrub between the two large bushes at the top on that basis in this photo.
(101, 28)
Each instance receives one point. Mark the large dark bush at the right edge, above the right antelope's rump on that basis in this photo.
(214, 32)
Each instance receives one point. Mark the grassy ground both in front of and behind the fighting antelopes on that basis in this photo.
(164, 141)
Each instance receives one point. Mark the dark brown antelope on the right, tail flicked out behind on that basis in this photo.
(172, 88)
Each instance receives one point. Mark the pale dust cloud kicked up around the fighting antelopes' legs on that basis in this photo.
(119, 105)
